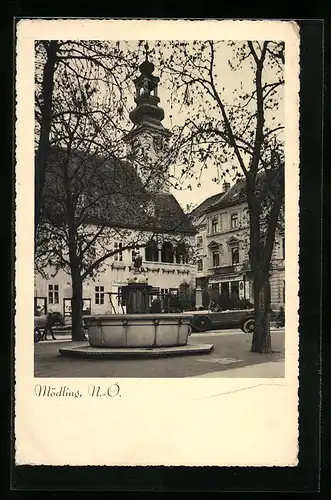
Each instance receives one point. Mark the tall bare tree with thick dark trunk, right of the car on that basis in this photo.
(241, 135)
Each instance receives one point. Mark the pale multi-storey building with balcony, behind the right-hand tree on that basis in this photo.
(222, 248)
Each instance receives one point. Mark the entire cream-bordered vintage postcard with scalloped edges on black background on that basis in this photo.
(157, 242)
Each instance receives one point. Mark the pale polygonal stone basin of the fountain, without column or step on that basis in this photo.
(138, 330)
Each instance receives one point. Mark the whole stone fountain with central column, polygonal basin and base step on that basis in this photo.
(137, 333)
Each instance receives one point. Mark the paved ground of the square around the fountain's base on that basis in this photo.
(231, 351)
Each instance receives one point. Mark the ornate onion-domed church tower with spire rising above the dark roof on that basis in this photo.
(147, 141)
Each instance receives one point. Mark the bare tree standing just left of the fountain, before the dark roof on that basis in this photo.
(89, 204)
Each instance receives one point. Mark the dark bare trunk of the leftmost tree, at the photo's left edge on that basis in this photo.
(45, 127)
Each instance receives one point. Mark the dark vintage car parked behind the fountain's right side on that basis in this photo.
(208, 320)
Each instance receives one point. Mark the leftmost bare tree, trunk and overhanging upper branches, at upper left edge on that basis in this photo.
(61, 63)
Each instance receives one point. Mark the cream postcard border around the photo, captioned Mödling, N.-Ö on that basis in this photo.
(189, 421)
